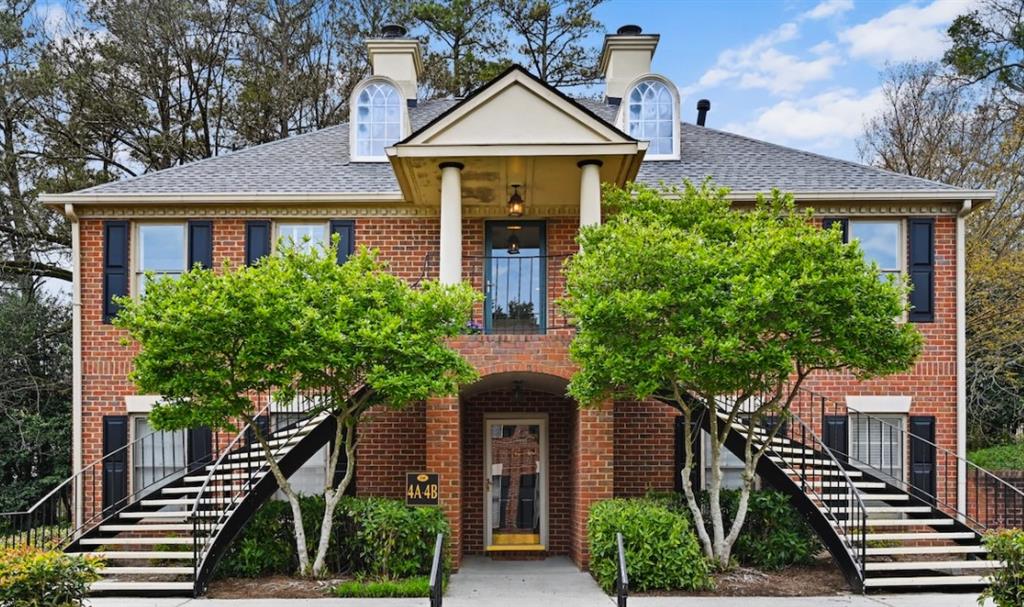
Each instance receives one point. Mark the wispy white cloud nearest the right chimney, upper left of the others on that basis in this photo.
(761, 65)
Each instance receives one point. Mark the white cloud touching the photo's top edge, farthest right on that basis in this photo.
(907, 33)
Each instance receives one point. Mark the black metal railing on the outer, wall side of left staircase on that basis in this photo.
(100, 491)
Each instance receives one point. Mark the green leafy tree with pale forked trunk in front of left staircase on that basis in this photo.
(296, 322)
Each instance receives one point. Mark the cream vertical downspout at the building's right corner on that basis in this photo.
(962, 355)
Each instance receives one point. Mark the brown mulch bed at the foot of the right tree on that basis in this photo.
(820, 580)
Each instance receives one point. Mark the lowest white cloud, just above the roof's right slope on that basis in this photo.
(827, 121)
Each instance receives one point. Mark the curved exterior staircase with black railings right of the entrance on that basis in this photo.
(885, 534)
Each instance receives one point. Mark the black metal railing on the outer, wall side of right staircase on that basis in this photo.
(887, 450)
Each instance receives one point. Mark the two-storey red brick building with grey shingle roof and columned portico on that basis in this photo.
(434, 185)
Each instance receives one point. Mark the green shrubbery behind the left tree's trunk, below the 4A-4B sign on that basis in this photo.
(381, 539)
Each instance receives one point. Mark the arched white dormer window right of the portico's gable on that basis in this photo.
(652, 114)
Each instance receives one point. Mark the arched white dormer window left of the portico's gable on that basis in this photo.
(378, 119)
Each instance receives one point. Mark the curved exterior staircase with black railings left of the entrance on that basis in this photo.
(167, 538)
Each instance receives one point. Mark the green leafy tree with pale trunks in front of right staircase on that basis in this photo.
(681, 299)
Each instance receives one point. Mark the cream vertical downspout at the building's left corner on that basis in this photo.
(76, 307)
